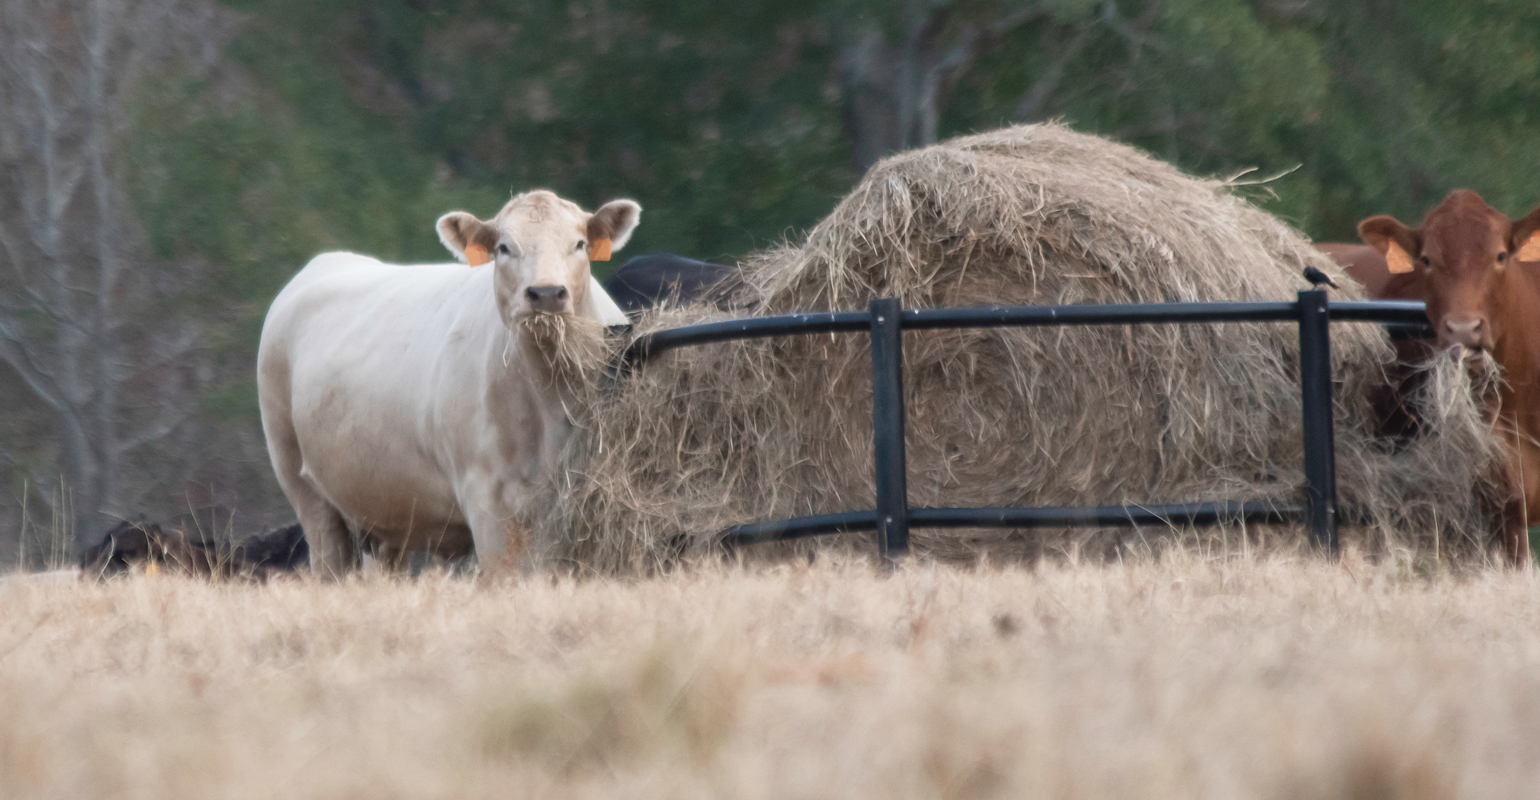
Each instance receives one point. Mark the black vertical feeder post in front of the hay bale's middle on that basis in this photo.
(888, 429)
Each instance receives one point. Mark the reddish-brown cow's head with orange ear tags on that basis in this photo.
(1465, 250)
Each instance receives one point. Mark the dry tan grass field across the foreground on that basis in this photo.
(1171, 677)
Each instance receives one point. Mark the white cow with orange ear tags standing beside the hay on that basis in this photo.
(424, 405)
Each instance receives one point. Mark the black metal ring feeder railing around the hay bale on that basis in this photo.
(886, 323)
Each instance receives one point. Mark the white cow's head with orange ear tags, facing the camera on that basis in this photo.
(540, 247)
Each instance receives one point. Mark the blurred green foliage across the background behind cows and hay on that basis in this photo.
(357, 124)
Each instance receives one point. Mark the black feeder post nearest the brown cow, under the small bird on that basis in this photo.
(1321, 449)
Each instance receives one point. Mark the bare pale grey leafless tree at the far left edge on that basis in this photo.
(70, 292)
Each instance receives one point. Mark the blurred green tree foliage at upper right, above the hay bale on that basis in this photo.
(1378, 107)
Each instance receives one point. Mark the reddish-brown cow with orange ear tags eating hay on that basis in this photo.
(1479, 274)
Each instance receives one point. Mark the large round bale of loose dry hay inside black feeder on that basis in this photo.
(711, 437)
